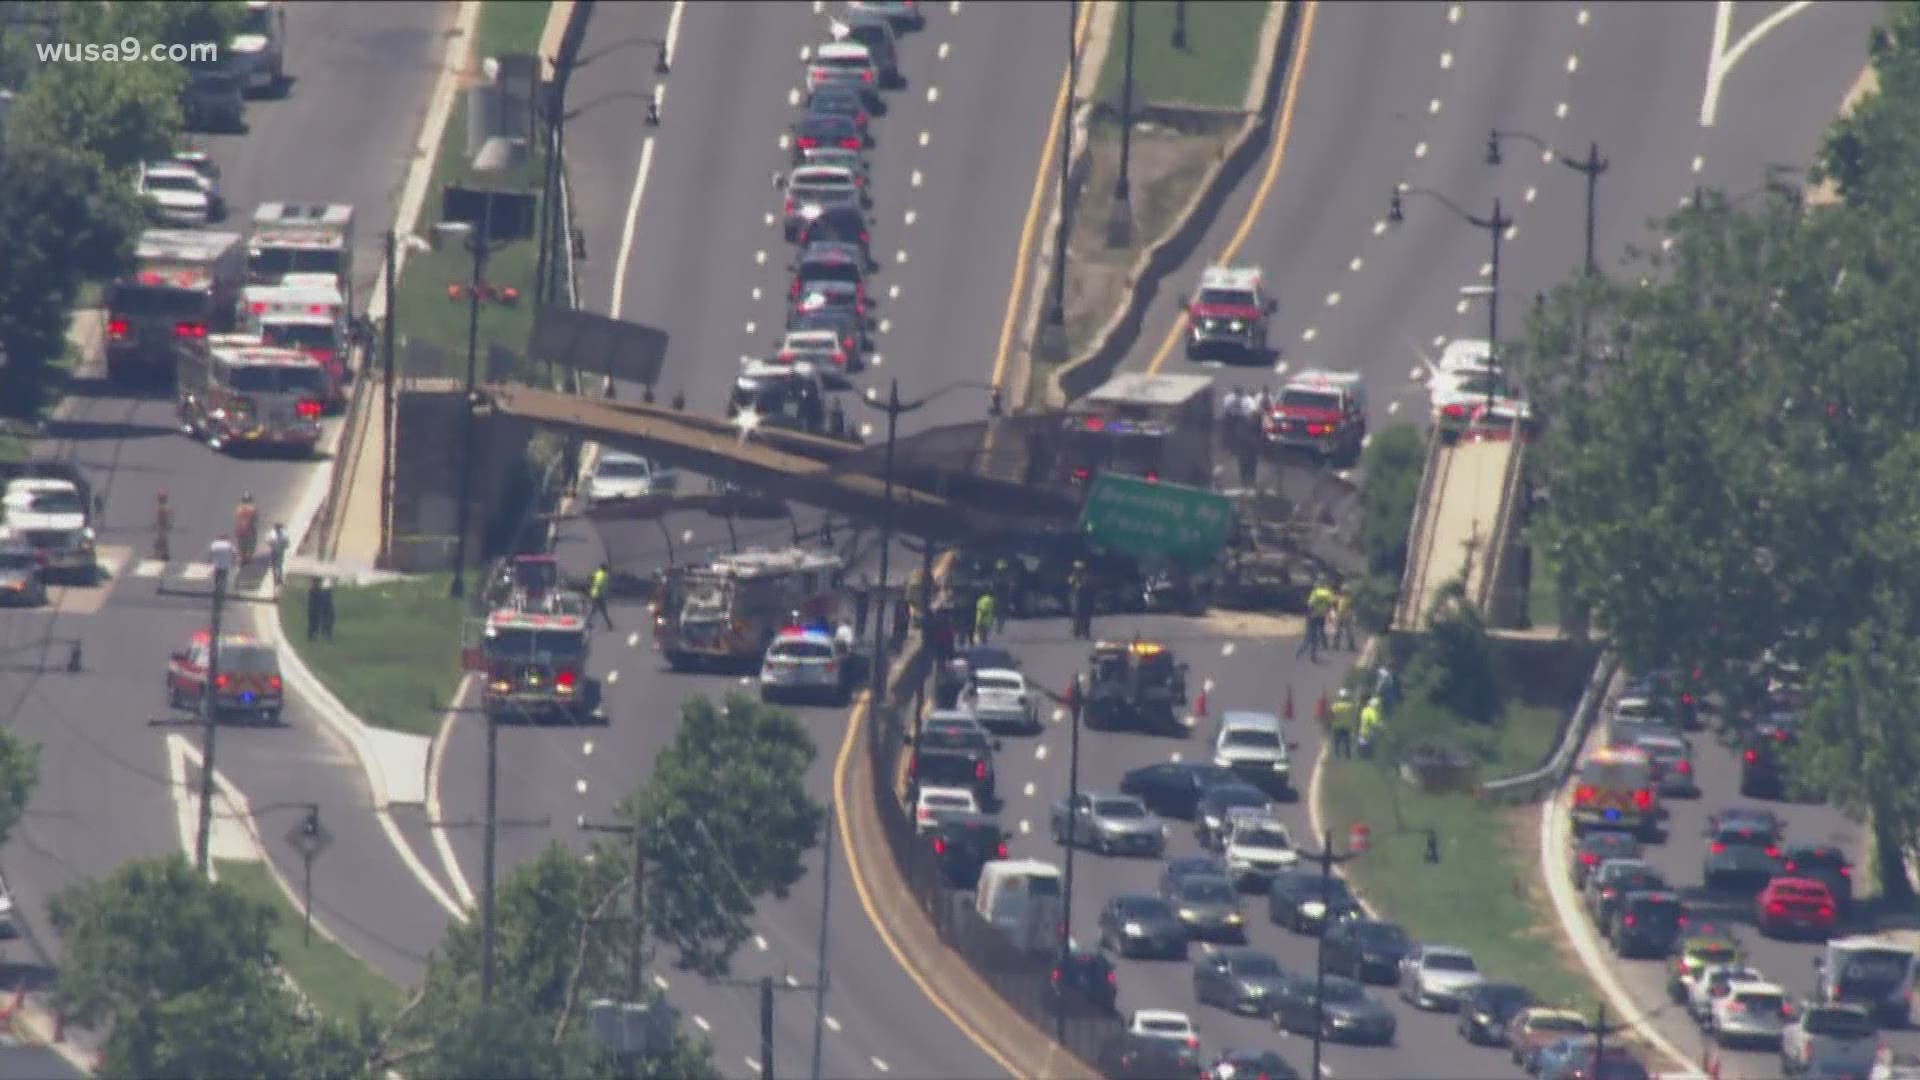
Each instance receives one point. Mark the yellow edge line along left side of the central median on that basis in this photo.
(857, 720)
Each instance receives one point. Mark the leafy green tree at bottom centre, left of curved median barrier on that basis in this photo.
(727, 820)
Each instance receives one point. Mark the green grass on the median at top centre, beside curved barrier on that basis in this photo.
(1214, 68)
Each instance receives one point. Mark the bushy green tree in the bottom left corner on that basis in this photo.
(183, 975)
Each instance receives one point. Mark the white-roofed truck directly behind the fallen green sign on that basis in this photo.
(1157, 428)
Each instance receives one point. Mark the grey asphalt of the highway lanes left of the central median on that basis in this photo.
(683, 235)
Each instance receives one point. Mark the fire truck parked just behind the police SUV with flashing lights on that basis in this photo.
(729, 612)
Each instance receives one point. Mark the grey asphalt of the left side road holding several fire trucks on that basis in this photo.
(345, 134)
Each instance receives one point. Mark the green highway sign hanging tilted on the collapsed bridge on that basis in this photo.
(1155, 520)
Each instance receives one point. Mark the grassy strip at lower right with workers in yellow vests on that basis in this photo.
(1485, 893)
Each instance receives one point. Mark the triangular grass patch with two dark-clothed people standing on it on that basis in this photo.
(396, 649)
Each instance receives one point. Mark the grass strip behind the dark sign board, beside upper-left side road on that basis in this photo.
(427, 314)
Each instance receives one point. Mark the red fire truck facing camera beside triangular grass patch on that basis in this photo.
(535, 664)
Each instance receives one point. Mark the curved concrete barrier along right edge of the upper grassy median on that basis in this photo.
(1118, 337)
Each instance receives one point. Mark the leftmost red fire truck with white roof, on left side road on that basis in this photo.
(183, 287)
